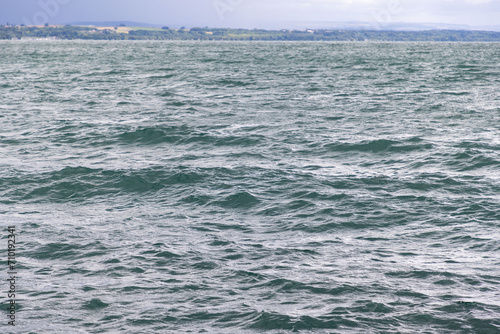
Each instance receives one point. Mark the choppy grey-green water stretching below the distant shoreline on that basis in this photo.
(189, 187)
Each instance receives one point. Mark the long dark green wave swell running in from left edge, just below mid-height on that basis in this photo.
(82, 183)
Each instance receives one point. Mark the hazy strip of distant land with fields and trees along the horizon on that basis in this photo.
(123, 31)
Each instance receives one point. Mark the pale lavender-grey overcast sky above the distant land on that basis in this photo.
(267, 14)
